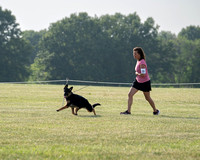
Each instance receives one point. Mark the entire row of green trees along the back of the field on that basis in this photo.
(97, 48)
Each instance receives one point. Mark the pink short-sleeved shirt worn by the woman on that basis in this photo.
(145, 78)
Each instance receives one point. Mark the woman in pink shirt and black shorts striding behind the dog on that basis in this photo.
(142, 81)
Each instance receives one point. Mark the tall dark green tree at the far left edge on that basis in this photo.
(14, 51)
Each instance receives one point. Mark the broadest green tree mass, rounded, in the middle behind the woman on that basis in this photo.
(87, 48)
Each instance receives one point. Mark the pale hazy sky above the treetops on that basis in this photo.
(170, 15)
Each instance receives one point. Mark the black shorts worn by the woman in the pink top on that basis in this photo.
(145, 87)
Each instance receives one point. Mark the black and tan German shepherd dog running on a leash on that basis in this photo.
(76, 102)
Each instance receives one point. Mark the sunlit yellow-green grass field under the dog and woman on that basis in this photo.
(30, 127)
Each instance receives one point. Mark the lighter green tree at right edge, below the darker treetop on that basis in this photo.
(188, 54)
